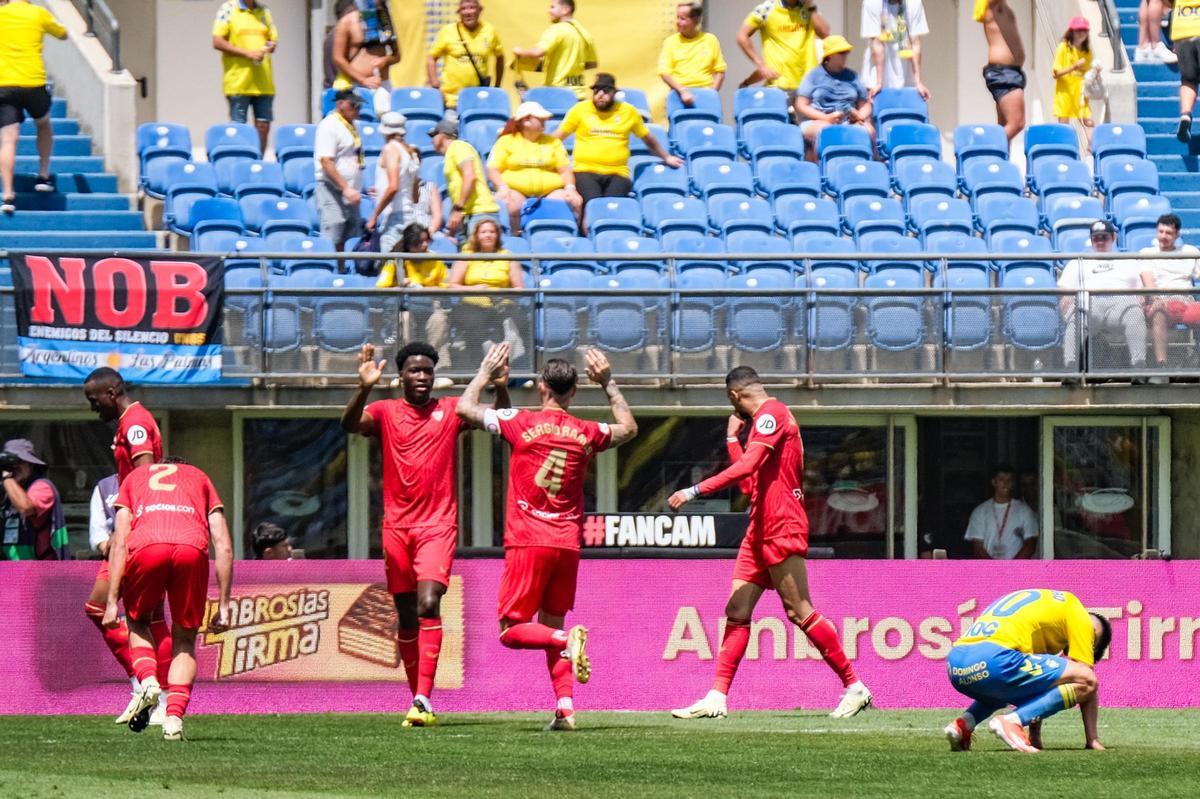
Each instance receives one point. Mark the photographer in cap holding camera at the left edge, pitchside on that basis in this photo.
(34, 524)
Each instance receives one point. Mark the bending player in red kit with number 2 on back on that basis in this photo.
(166, 516)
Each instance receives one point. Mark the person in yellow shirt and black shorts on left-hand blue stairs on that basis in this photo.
(23, 91)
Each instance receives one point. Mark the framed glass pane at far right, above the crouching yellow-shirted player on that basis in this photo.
(1108, 479)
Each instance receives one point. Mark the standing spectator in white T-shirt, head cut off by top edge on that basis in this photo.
(893, 31)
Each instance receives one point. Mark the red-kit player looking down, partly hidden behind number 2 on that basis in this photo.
(137, 442)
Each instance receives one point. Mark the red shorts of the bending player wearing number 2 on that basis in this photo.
(176, 570)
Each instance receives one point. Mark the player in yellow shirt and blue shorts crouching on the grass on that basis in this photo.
(1035, 650)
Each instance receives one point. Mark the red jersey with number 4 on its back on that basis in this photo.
(551, 452)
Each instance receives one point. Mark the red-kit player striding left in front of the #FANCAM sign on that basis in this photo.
(777, 540)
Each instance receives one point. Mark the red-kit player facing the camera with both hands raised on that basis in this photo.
(419, 437)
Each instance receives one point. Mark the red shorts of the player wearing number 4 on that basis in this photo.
(538, 579)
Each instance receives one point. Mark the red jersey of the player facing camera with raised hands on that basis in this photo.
(421, 455)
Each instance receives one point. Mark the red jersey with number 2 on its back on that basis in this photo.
(171, 504)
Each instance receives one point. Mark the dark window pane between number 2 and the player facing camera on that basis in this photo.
(296, 476)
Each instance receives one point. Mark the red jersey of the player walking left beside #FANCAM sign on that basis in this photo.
(777, 496)
